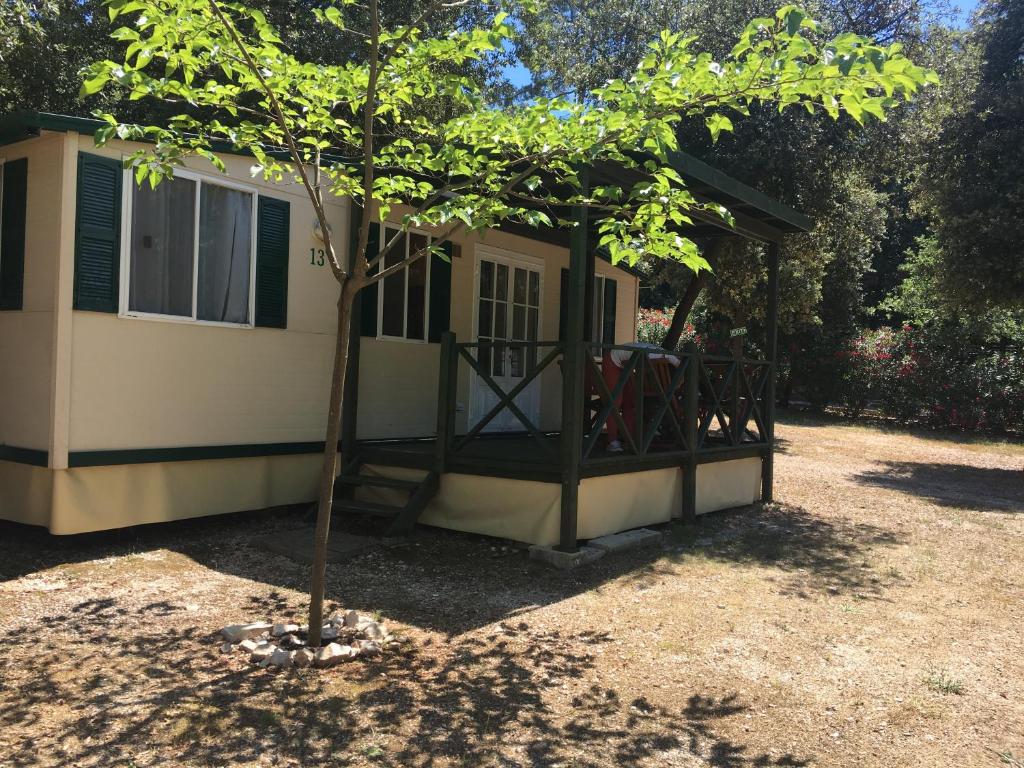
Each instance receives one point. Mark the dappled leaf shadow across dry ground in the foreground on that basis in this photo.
(111, 687)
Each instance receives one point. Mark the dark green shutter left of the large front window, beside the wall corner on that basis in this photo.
(98, 234)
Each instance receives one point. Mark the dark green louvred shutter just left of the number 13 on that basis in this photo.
(273, 229)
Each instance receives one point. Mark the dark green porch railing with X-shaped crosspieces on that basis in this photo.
(663, 408)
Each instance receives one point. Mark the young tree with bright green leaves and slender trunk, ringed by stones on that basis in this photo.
(353, 132)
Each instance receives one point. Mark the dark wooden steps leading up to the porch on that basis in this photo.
(400, 519)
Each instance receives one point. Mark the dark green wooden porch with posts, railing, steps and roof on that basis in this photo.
(698, 410)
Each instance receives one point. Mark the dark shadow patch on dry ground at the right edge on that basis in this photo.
(984, 489)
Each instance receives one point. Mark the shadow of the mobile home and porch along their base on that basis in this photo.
(454, 583)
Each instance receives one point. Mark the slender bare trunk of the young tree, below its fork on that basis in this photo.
(328, 473)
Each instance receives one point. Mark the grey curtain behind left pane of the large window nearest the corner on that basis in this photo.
(162, 248)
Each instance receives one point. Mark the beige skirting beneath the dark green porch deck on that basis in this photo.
(530, 511)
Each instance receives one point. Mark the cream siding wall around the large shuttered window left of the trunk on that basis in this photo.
(145, 383)
